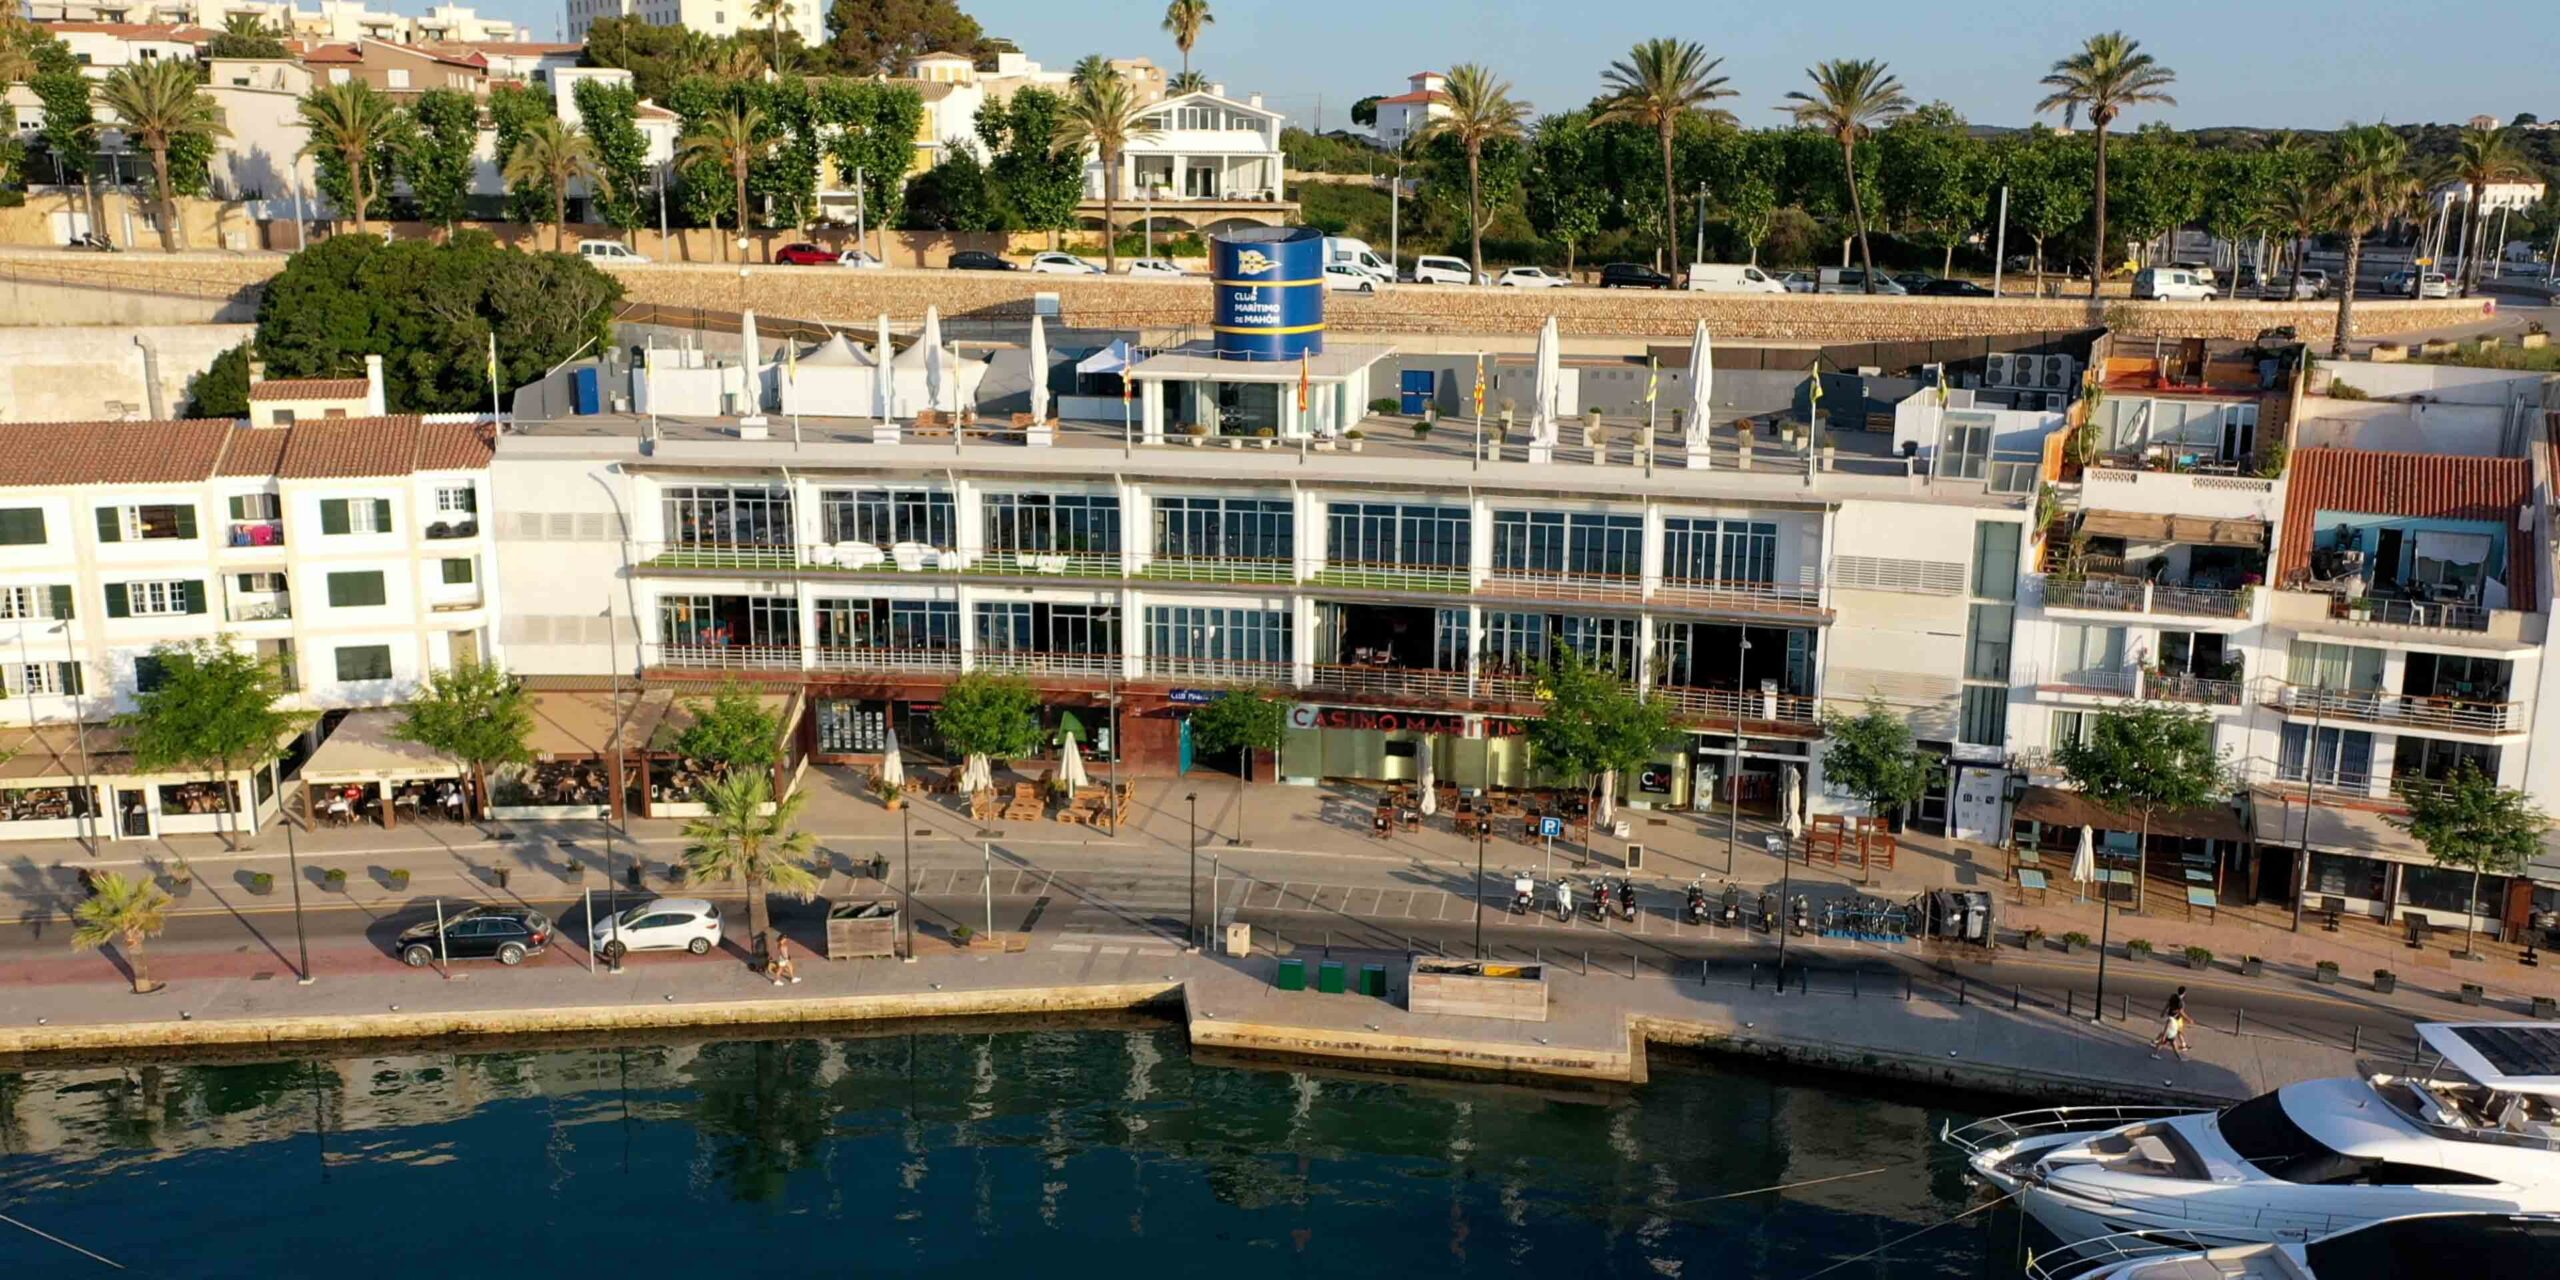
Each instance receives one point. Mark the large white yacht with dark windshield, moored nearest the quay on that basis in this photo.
(2477, 1133)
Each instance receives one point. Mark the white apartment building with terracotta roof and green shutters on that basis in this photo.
(349, 549)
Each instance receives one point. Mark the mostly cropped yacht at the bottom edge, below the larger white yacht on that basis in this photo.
(2385, 1251)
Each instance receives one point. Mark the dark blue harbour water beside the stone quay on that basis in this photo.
(1023, 1153)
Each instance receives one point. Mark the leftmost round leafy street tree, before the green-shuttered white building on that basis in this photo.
(214, 713)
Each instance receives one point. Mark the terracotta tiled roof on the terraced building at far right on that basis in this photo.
(2413, 485)
